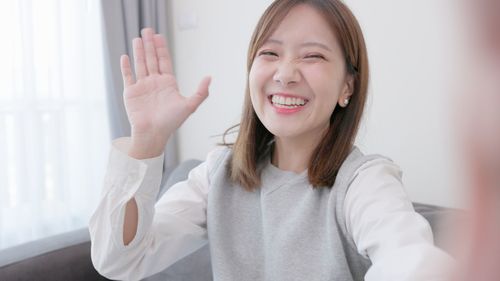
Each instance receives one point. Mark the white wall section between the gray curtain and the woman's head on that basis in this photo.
(216, 47)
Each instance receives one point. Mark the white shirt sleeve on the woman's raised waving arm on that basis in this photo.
(167, 231)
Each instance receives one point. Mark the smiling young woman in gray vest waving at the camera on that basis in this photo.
(292, 198)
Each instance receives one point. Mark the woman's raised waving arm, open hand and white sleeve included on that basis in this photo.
(128, 240)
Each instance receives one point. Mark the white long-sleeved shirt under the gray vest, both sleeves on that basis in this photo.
(378, 214)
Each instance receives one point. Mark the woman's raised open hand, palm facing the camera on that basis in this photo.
(154, 106)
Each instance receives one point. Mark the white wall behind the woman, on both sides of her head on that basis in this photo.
(410, 46)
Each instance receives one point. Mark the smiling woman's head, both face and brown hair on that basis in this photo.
(305, 58)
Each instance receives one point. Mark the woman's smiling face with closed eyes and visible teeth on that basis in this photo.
(298, 76)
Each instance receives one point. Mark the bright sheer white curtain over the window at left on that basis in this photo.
(54, 135)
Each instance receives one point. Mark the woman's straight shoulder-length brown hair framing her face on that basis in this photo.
(253, 138)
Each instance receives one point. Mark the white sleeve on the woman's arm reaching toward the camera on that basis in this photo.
(387, 230)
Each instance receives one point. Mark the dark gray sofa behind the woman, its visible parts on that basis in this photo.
(67, 256)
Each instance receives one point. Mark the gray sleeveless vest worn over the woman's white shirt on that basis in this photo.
(286, 230)
